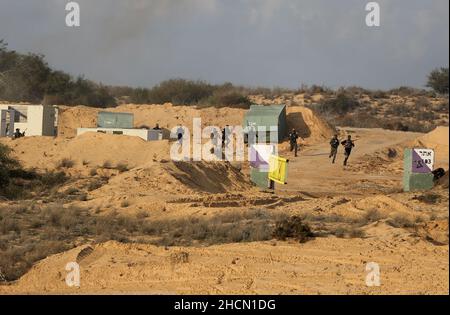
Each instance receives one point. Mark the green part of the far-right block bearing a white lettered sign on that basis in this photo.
(413, 181)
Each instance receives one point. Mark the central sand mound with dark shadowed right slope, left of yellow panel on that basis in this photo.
(169, 180)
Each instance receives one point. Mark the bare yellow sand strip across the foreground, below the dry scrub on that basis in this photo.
(322, 266)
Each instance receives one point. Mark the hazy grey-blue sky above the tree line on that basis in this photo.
(252, 42)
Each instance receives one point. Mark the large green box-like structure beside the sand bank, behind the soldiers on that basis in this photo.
(267, 116)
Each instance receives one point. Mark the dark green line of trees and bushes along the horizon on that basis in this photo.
(28, 77)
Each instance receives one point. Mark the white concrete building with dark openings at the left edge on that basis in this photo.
(35, 120)
